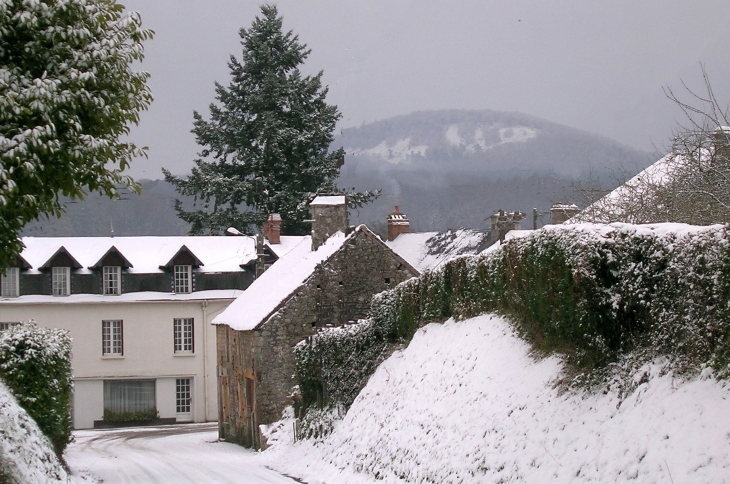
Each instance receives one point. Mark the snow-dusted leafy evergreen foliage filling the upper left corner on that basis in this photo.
(67, 94)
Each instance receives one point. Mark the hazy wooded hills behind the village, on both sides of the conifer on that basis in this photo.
(445, 169)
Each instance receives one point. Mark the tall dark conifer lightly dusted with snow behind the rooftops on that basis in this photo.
(266, 145)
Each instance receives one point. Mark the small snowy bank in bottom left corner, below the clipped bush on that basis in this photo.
(26, 455)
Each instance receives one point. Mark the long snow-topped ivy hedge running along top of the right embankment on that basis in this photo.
(592, 293)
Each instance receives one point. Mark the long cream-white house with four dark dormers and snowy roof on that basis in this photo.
(138, 310)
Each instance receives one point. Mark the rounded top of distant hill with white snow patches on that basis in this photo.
(482, 141)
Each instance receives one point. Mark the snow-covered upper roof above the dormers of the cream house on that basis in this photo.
(147, 254)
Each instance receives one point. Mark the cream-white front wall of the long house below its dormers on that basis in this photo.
(148, 346)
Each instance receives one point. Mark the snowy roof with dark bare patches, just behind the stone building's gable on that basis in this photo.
(428, 250)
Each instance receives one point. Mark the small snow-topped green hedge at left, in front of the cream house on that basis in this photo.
(35, 363)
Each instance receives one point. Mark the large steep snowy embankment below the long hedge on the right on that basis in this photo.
(466, 403)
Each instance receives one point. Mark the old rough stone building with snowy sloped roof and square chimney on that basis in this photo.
(321, 282)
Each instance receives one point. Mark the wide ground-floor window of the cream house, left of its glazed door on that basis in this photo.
(133, 399)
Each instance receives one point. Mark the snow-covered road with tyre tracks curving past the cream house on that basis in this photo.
(171, 454)
